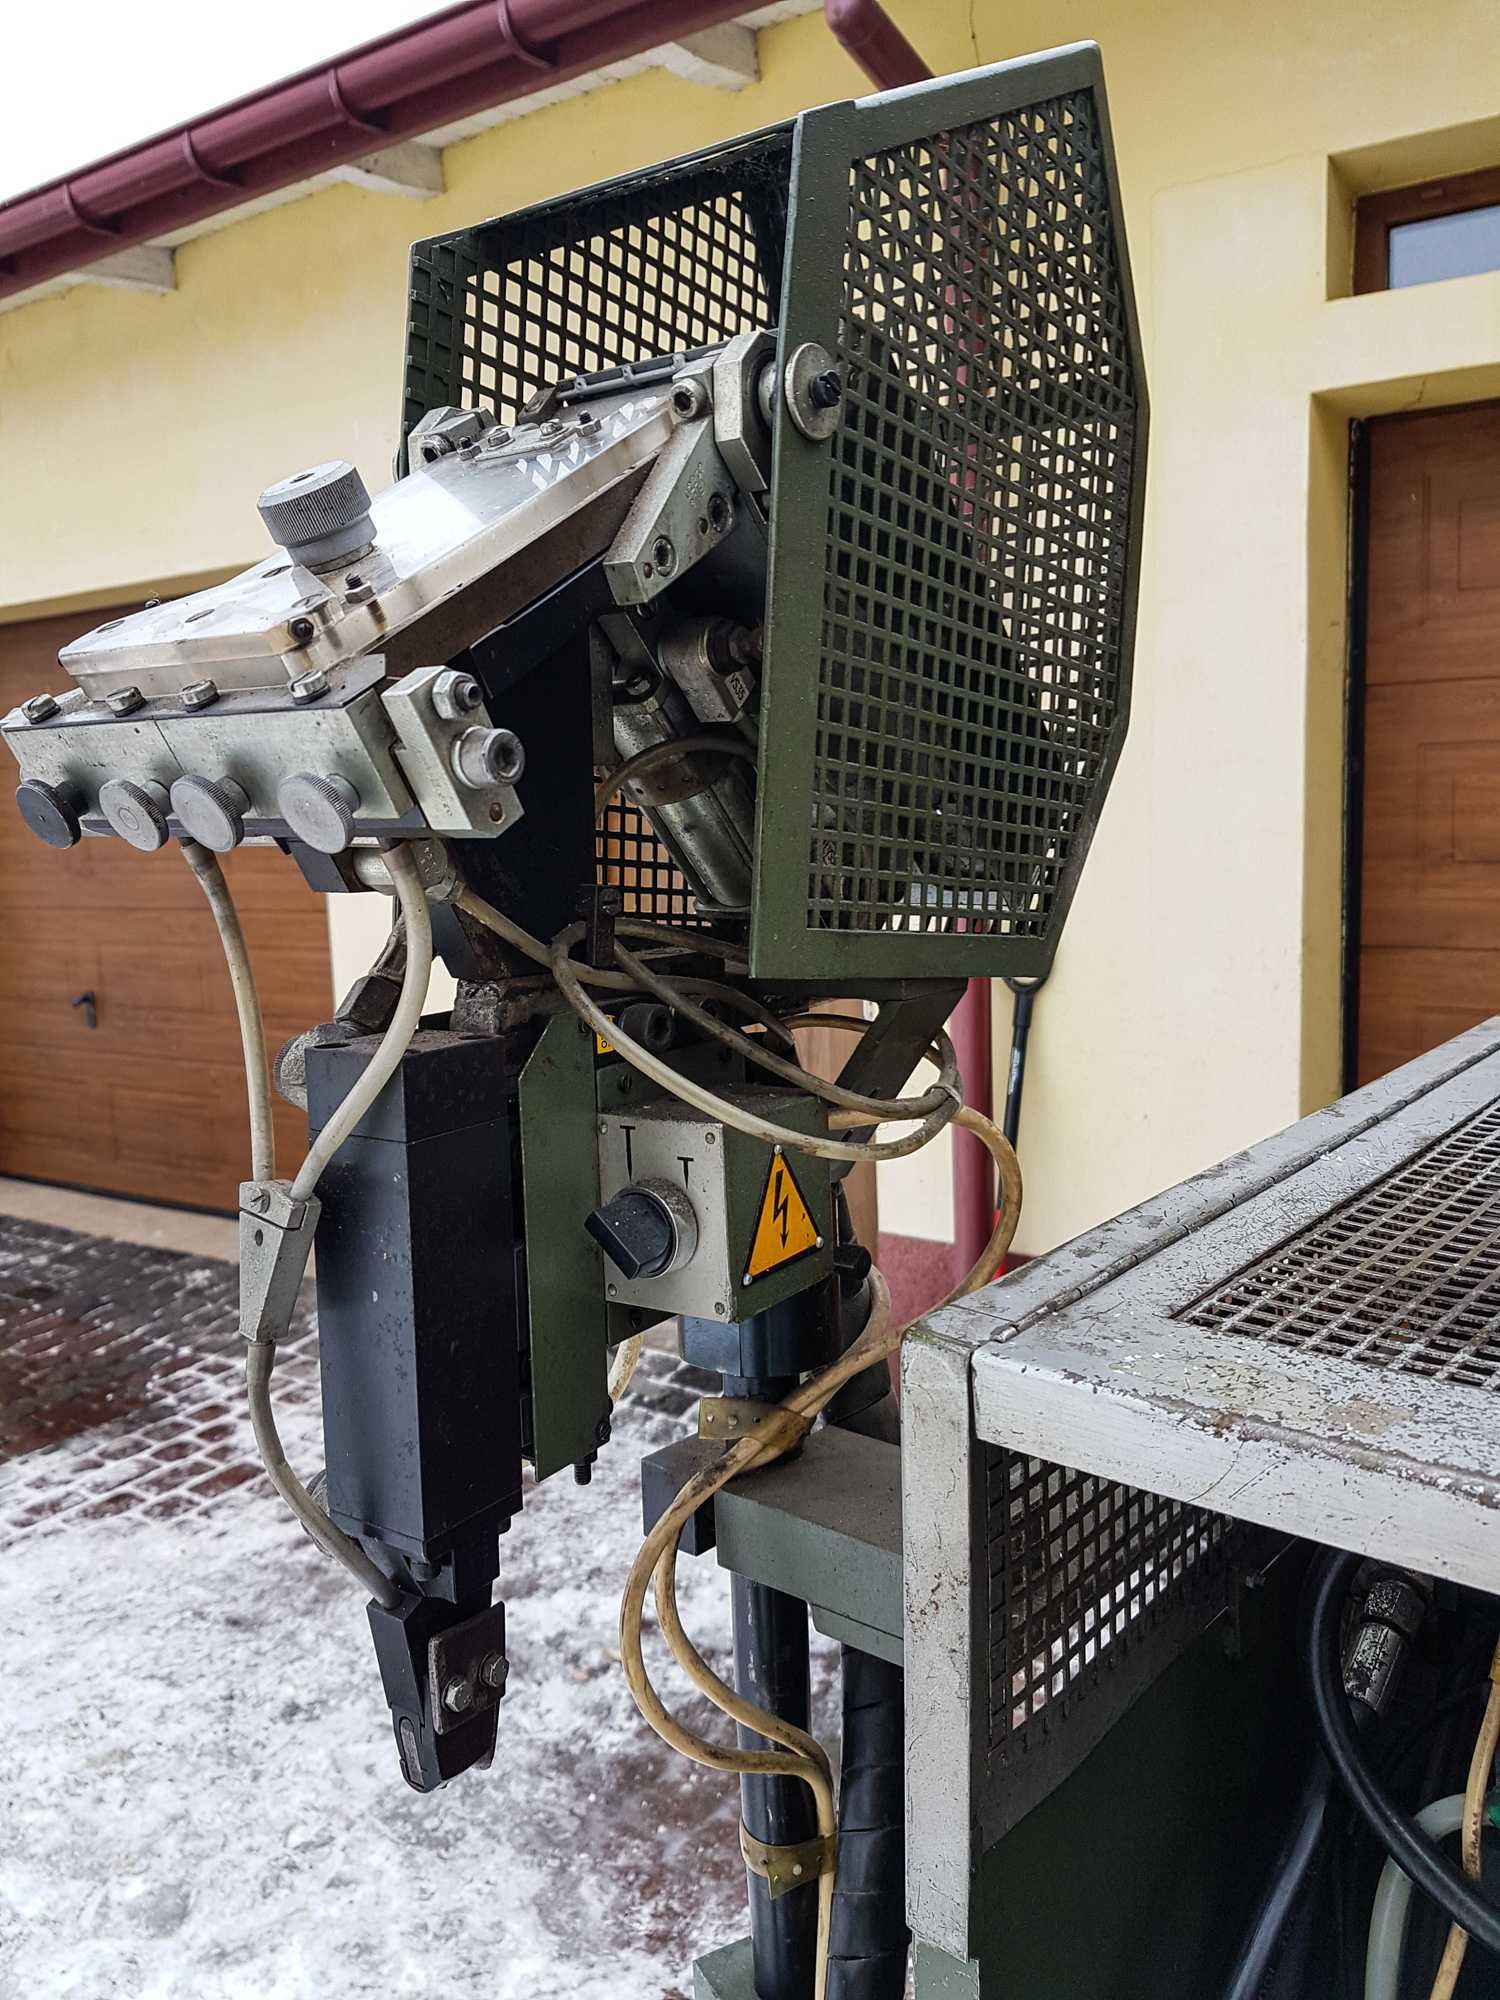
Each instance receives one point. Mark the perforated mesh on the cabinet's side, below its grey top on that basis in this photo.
(1083, 1573)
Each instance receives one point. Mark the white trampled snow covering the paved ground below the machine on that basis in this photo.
(203, 1793)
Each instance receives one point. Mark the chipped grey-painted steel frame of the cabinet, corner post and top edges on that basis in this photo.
(991, 1371)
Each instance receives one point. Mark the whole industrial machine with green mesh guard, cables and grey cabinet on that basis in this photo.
(751, 623)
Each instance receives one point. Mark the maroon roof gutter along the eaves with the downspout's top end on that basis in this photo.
(405, 85)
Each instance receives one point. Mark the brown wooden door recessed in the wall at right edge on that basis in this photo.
(1431, 839)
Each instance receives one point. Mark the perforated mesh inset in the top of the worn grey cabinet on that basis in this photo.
(1407, 1277)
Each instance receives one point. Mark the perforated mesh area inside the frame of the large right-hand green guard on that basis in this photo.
(977, 531)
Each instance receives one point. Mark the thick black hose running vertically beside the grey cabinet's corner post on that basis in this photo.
(867, 1959)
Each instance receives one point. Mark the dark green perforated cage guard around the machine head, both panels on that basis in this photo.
(953, 577)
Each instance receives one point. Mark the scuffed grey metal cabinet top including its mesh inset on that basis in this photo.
(1319, 1357)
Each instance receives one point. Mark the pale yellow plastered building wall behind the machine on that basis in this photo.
(1195, 1003)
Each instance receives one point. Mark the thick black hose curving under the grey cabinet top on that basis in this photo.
(1397, 1833)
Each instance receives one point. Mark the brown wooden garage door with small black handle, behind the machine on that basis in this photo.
(151, 1101)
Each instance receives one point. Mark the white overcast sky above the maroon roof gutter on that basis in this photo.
(89, 77)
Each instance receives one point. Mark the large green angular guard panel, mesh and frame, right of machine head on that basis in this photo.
(967, 551)
